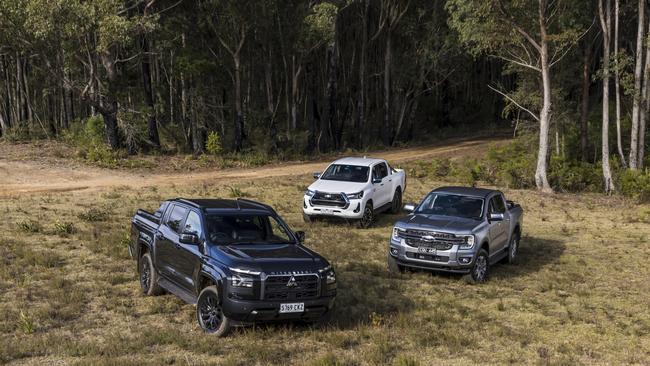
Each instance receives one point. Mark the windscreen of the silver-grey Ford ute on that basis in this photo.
(452, 205)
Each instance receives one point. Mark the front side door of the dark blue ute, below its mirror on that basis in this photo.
(188, 256)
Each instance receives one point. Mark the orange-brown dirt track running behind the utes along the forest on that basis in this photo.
(20, 176)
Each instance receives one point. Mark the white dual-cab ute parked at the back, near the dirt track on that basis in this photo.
(355, 189)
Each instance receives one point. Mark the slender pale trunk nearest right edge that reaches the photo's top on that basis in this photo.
(636, 101)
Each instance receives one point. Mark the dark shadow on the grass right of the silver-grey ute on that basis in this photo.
(534, 254)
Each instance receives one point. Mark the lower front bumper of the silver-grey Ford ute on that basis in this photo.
(444, 261)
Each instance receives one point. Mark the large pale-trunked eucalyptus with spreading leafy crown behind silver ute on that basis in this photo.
(531, 36)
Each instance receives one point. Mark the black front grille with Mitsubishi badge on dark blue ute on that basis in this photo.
(275, 287)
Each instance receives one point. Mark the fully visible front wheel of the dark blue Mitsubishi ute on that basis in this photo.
(210, 314)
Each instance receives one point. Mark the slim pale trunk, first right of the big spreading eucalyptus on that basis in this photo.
(605, 20)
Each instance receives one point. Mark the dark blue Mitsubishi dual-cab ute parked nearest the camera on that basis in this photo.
(235, 259)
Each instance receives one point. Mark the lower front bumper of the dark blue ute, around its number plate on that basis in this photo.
(249, 311)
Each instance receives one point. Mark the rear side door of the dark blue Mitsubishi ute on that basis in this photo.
(167, 240)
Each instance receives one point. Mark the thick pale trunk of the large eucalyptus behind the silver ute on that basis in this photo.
(545, 115)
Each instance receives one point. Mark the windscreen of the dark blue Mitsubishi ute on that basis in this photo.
(246, 229)
